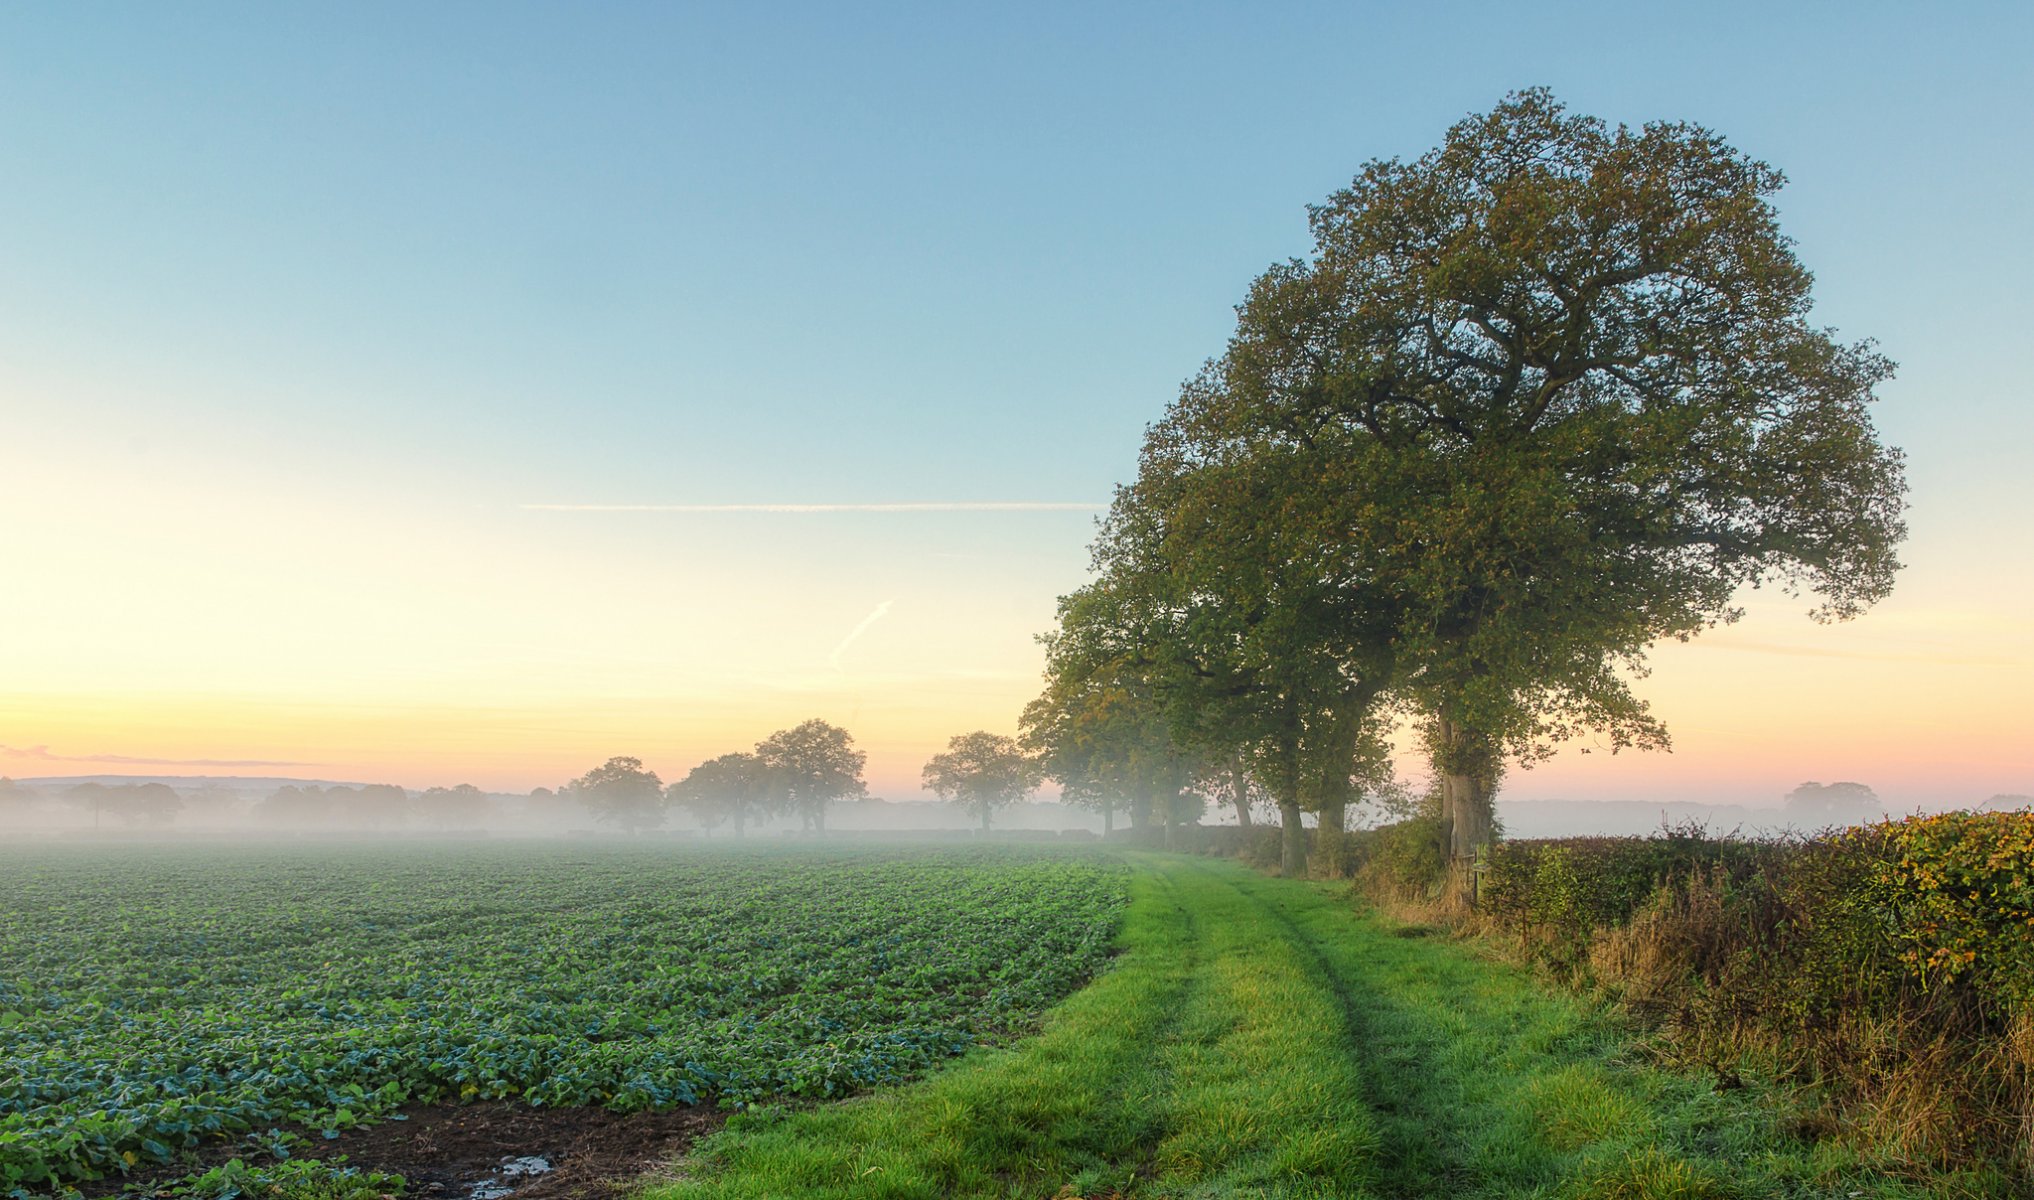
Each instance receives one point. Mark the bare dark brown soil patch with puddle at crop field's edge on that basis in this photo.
(446, 1152)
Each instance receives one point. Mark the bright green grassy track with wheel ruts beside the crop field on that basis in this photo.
(1262, 1038)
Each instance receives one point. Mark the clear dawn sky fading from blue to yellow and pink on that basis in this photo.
(477, 392)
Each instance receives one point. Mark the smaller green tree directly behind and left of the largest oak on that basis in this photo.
(1225, 575)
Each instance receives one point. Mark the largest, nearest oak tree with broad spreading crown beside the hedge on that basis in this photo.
(1565, 394)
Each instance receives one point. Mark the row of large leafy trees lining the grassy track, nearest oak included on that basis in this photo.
(1537, 402)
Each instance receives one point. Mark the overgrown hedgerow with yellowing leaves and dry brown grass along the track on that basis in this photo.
(1891, 967)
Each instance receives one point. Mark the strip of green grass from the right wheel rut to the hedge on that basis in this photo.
(1486, 1085)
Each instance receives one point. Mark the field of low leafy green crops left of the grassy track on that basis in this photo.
(164, 1002)
